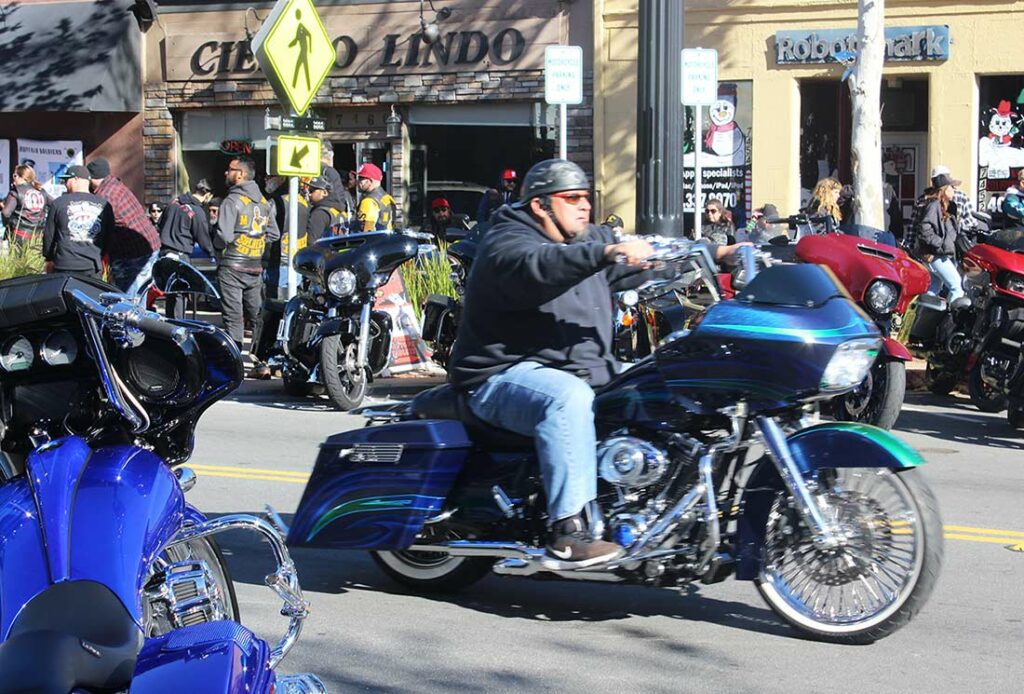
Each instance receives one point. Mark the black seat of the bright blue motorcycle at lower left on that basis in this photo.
(74, 635)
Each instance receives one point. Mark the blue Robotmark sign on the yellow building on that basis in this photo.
(822, 46)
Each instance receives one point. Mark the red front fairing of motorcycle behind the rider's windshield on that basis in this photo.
(859, 263)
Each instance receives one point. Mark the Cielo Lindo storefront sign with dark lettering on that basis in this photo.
(379, 50)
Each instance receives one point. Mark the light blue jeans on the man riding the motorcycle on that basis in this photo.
(558, 410)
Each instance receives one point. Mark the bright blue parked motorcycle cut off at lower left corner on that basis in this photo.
(110, 582)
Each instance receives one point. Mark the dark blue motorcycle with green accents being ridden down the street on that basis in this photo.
(709, 466)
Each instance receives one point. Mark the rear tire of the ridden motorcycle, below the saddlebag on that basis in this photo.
(433, 573)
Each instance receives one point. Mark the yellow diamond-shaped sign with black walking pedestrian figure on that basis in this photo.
(294, 52)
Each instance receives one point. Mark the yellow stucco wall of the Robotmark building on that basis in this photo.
(986, 36)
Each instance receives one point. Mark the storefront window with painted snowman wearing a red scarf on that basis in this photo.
(726, 145)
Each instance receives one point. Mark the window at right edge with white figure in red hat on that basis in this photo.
(1001, 143)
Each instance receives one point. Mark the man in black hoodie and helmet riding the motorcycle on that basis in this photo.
(537, 336)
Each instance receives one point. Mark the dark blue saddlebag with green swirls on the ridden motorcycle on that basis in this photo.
(373, 489)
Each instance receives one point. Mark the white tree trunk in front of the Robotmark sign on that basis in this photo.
(866, 92)
